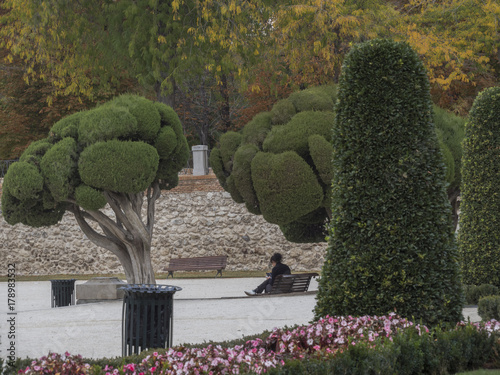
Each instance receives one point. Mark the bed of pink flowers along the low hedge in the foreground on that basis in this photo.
(322, 338)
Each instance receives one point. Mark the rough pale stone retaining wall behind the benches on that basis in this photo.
(195, 219)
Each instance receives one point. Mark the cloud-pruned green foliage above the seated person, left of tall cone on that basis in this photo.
(279, 165)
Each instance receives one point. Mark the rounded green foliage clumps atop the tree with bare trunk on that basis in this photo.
(101, 147)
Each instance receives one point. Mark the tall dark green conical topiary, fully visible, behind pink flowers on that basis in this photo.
(391, 245)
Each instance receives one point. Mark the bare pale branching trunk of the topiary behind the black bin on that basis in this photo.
(127, 235)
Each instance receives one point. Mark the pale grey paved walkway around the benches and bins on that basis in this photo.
(205, 310)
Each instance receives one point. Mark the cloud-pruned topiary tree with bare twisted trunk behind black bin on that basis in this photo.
(120, 154)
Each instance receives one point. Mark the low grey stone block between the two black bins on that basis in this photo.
(99, 289)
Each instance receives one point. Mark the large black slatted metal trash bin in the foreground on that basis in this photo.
(147, 317)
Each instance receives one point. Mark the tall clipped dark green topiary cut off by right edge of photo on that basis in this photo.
(479, 236)
